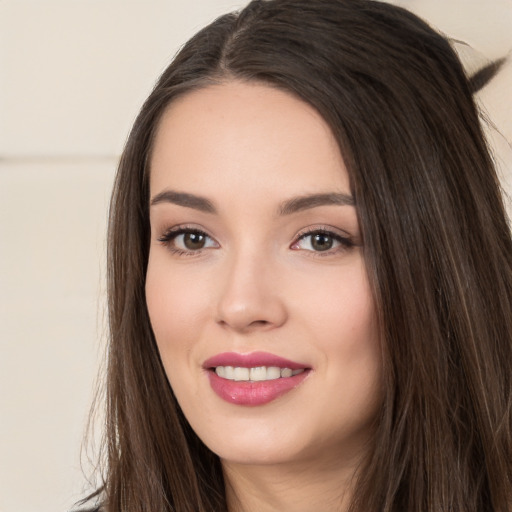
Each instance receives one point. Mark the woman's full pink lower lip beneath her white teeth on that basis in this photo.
(253, 393)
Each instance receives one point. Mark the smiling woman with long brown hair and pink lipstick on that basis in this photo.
(310, 281)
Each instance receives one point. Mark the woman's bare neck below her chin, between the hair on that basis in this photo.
(290, 487)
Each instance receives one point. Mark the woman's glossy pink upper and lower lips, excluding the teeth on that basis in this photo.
(253, 393)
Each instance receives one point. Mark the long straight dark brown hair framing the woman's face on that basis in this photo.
(437, 248)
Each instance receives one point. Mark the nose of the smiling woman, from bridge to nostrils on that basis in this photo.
(250, 296)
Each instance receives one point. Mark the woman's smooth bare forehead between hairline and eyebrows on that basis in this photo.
(244, 136)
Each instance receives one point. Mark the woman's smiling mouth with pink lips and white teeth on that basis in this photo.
(253, 379)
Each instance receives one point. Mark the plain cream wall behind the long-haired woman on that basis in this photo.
(73, 74)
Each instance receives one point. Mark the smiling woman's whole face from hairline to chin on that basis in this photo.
(256, 287)
